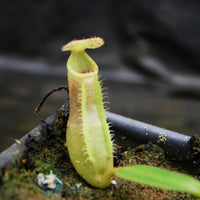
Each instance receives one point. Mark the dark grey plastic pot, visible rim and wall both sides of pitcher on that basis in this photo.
(173, 143)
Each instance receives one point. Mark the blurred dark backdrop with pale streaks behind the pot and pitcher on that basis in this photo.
(150, 60)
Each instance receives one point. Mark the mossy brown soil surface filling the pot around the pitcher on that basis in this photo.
(21, 184)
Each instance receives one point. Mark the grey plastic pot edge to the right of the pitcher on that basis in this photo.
(176, 145)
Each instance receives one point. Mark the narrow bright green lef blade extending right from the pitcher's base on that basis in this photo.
(160, 178)
